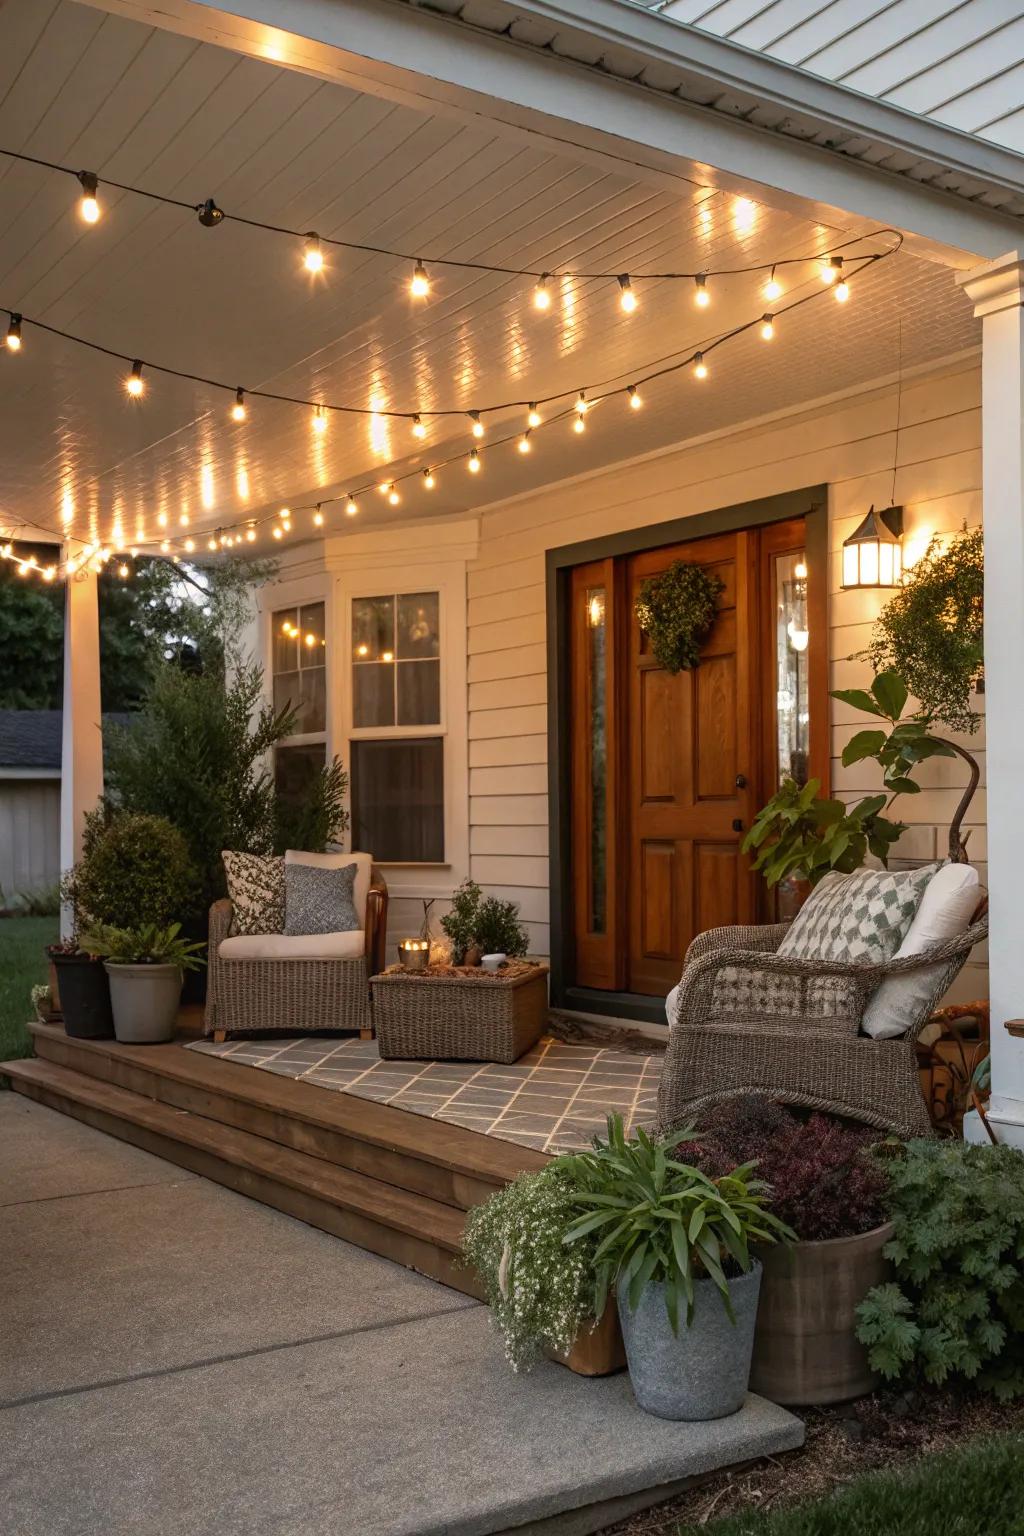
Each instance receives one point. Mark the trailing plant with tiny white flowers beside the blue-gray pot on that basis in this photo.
(540, 1289)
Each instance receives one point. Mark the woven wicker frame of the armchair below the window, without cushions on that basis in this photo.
(299, 998)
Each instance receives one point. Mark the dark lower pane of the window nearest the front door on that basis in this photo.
(398, 799)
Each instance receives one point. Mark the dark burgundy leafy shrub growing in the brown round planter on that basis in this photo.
(824, 1179)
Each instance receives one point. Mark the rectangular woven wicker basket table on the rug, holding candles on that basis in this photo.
(460, 1019)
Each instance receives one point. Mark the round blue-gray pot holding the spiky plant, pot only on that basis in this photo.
(702, 1372)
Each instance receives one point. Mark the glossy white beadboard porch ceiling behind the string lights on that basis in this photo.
(156, 110)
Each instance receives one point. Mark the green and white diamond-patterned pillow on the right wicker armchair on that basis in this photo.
(862, 916)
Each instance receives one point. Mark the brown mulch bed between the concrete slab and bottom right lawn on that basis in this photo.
(882, 1432)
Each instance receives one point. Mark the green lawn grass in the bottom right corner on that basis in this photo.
(977, 1491)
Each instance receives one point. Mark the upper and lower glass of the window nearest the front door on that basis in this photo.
(398, 750)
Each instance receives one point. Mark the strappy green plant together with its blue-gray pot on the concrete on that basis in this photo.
(676, 1245)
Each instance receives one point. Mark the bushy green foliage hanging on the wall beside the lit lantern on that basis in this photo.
(933, 632)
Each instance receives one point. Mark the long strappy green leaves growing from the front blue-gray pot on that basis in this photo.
(664, 1222)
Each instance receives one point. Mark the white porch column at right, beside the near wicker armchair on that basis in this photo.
(997, 291)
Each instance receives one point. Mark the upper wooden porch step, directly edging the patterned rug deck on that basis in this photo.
(446, 1164)
